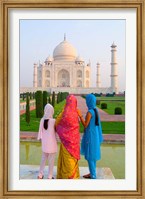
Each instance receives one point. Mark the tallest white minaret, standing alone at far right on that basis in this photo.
(114, 71)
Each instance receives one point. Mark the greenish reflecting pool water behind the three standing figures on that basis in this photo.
(113, 156)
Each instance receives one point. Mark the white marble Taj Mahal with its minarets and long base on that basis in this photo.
(65, 71)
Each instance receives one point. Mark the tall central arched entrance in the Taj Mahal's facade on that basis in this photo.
(63, 78)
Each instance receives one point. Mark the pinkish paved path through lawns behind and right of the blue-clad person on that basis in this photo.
(103, 115)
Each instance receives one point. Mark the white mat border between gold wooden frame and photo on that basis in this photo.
(130, 181)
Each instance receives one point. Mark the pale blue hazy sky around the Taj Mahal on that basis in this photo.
(91, 38)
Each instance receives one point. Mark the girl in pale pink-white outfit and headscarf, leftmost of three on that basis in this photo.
(47, 135)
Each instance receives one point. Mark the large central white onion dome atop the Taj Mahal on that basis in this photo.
(64, 51)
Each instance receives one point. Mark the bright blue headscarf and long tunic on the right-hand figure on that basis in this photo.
(92, 138)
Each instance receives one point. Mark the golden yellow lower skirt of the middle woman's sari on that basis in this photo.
(67, 166)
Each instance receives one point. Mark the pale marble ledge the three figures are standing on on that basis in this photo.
(31, 172)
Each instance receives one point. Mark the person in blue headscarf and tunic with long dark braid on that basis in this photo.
(92, 138)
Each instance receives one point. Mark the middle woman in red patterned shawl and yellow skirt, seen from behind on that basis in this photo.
(68, 130)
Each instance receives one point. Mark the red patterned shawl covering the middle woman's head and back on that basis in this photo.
(68, 127)
